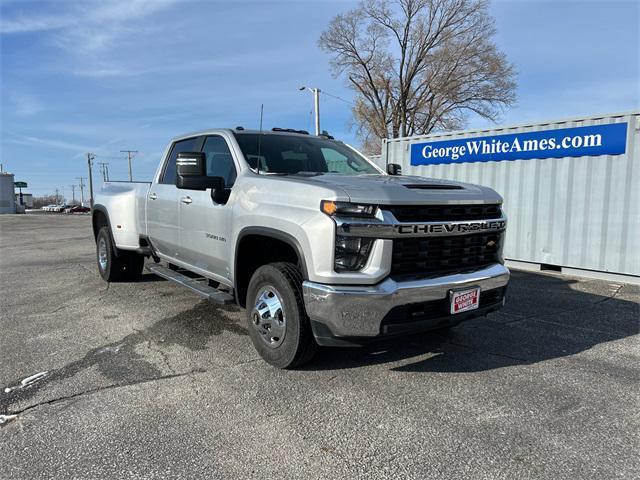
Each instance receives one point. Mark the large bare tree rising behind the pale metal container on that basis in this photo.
(419, 65)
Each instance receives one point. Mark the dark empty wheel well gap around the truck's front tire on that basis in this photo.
(256, 250)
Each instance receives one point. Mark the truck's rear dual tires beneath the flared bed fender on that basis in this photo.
(116, 265)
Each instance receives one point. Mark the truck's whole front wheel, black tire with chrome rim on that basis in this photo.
(277, 321)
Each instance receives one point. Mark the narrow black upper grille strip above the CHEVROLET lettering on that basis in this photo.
(438, 213)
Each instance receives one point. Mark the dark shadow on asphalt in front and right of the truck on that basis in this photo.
(546, 317)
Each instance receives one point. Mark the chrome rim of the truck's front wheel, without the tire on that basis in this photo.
(268, 318)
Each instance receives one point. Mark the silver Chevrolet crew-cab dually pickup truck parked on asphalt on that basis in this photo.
(318, 244)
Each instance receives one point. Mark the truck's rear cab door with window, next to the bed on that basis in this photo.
(163, 202)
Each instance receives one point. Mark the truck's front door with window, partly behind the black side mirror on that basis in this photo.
(205, 224)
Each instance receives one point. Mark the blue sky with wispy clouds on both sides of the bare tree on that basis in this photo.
(99, 76)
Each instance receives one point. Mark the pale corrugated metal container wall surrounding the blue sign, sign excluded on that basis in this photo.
(577, 212)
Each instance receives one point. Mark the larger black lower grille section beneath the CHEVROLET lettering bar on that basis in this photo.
(438, 255)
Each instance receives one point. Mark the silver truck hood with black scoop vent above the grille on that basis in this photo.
(399, 190)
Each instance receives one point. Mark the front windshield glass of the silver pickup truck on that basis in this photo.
(291, 154)
